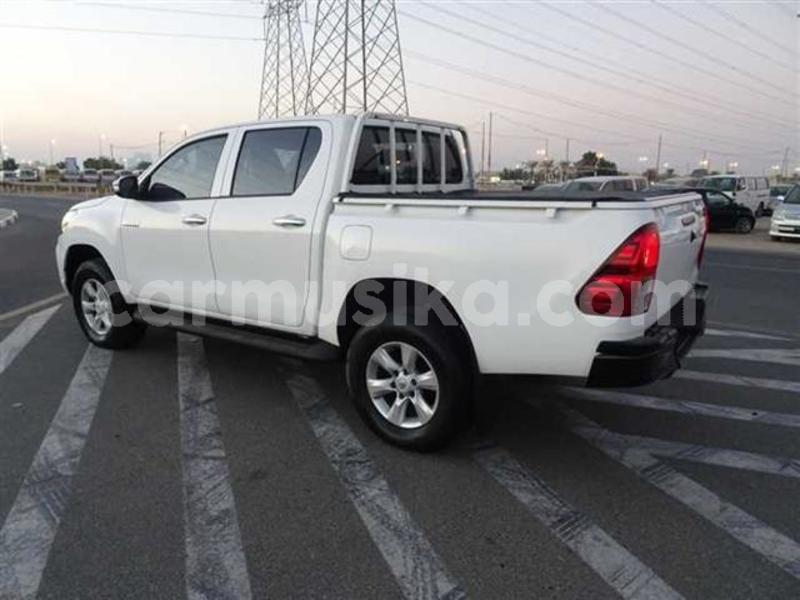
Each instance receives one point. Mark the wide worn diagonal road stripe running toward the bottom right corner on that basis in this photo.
(747, 529)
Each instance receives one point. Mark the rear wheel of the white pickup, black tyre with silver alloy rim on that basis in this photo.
(411, 383)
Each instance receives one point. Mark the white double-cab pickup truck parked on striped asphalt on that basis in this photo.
(363, 237)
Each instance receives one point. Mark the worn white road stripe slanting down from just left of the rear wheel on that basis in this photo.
(411, 558)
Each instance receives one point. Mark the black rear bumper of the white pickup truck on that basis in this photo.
(657, 354)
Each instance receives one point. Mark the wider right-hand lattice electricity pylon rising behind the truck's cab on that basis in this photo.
(356, 62)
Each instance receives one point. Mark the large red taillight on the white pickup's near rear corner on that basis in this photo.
(623, 286)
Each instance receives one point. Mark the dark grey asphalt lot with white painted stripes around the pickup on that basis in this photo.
(201, 469)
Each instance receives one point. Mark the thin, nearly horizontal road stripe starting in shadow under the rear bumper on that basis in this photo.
(687, 407)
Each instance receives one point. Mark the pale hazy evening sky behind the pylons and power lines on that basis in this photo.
(717, 80)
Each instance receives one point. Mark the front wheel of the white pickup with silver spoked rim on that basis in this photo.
(102, 312)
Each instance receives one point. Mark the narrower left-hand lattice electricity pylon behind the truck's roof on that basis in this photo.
(284, 76)
